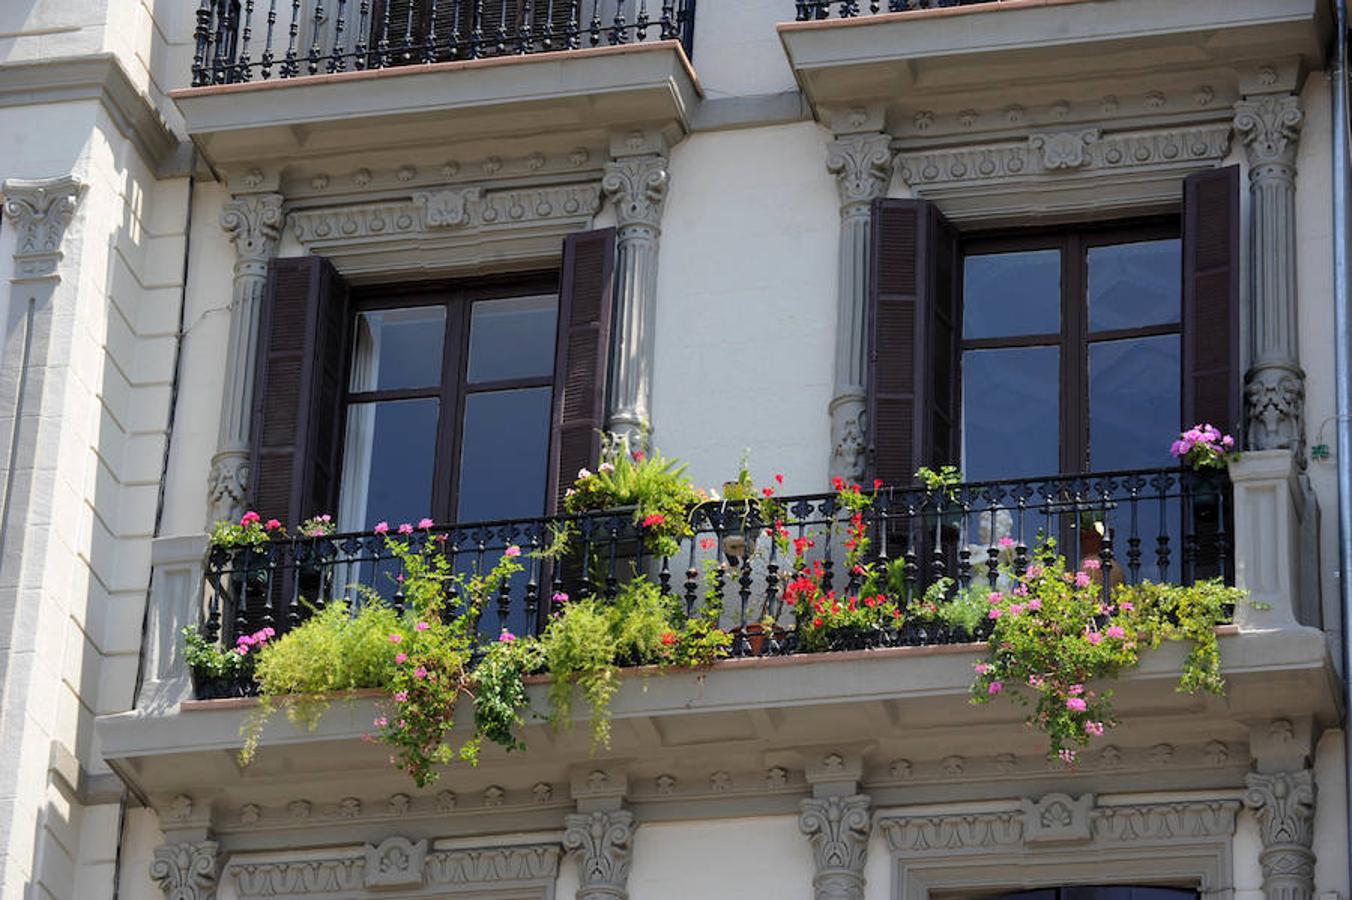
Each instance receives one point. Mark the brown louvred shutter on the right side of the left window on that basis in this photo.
(582, 359)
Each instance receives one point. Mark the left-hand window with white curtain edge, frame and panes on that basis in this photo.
(448, 403)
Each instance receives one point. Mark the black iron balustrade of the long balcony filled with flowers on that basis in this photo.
(1166, 525)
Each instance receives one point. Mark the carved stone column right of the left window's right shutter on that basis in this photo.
(637, 183)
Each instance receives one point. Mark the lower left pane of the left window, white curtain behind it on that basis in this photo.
(389, 460)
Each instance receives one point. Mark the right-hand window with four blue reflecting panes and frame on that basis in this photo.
(1076, 337)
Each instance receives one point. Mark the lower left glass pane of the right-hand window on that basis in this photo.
(1011, 413)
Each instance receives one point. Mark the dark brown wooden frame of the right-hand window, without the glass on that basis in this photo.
(1074, 339)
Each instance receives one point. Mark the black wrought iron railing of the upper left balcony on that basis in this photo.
(245, 40)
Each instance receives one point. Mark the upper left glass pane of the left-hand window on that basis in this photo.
(398, 349)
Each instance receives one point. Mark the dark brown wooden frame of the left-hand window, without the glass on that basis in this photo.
(458, 299)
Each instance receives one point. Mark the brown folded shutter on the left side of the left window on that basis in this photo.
(298, 395)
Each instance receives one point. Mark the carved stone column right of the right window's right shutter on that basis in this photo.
(1274, 391)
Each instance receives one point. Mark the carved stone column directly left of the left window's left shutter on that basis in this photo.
(255, 225)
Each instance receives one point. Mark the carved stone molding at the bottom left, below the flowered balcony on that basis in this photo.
(398, 864)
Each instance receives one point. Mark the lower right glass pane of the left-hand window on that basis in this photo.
(505, 452)
